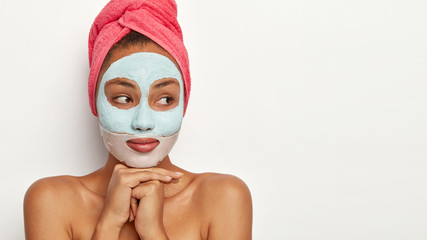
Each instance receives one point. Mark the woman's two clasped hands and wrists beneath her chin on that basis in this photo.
(135, 194)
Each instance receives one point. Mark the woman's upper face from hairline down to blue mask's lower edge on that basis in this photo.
(140, 91)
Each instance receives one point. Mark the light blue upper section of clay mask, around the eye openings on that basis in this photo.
(144, 68)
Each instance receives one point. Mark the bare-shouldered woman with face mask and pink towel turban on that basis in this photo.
(139, 87)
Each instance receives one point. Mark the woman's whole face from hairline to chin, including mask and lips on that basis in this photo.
(140, 103)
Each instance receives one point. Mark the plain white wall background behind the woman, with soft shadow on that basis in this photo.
(319, 106)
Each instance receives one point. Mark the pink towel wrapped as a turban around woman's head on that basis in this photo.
(156, 19)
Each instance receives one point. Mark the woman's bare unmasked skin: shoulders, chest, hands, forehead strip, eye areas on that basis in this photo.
(119, 202)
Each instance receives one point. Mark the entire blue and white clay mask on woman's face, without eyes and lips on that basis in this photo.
(118, 126)
